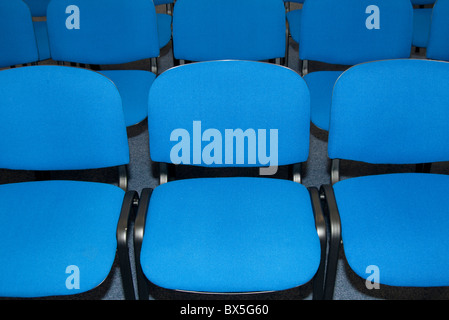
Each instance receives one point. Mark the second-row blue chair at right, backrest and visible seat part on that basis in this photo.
(345, 33)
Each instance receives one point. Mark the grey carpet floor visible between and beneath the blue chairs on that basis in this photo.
(315, 173)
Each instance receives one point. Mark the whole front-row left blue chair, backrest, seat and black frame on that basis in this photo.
(61, 237)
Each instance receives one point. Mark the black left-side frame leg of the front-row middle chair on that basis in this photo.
(139, 230)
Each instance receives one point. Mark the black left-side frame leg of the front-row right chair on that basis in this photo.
(331, 211)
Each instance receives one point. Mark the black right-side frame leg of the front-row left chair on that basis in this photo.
(127, 214)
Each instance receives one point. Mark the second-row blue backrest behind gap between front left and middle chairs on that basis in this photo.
(102, 31)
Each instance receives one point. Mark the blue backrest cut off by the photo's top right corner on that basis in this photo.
(438, 45)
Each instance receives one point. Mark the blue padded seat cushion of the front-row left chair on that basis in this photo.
(48, 226)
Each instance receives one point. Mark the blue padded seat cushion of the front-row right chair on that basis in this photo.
(399, 223)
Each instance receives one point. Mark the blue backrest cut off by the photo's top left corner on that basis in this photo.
(16, 34)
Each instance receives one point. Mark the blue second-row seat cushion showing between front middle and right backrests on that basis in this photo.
(321, 85)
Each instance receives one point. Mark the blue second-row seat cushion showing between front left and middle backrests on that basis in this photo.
(134, 87)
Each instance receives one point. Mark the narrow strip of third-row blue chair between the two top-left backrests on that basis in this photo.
(38, 9)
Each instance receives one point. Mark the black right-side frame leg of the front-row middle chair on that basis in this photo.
(321, 227)
